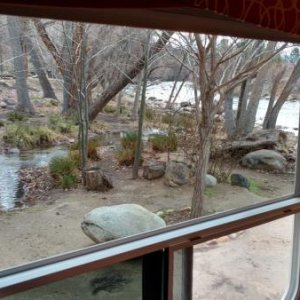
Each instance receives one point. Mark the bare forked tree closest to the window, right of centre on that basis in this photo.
(219, 72)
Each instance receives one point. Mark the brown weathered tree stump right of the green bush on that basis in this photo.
(96, 180)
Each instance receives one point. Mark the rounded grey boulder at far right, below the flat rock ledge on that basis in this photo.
(264, 159)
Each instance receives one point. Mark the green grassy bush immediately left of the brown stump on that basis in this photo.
(62, 169)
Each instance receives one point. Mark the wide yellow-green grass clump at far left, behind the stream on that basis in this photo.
(25, 136)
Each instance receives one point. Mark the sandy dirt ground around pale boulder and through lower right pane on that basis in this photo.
(244, 266)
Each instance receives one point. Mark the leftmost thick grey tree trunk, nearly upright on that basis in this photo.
(14, 29)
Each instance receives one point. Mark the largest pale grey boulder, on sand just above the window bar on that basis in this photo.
(117, 221)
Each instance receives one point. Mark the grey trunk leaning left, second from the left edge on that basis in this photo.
(48, 91)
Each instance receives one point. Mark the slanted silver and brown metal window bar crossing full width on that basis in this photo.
(194, 232)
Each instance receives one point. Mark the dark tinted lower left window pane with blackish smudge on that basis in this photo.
(118, 282)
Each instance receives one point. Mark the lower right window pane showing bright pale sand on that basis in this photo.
(253, 264)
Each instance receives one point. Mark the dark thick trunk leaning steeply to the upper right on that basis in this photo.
(117, 86)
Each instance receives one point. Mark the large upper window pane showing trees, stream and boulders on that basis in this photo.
(200, 103)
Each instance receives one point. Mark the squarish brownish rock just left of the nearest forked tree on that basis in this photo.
(177, 174)
